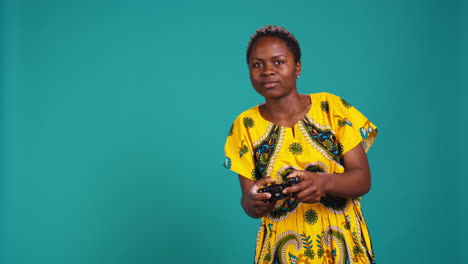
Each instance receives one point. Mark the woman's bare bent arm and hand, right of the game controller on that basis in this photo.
(354, 182)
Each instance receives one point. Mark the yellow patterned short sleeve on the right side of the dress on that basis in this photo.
(350, 125)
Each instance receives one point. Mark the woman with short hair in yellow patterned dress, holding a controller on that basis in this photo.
(320, 139)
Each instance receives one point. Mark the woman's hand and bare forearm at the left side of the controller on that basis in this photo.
(255, 204)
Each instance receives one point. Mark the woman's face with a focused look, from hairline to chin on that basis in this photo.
(273, 71)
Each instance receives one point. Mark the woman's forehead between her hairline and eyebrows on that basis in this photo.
(266, 47)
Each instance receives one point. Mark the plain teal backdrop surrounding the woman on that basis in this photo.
(114, 116)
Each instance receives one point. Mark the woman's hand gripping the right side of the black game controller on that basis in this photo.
(311, 186)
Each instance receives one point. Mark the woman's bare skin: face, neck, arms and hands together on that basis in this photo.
(273, 73)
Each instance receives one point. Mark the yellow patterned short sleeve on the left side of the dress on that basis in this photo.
(238, 149)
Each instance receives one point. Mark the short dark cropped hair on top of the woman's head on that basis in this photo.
(276, 32)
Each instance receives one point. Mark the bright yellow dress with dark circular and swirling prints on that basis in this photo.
(330, 231)
